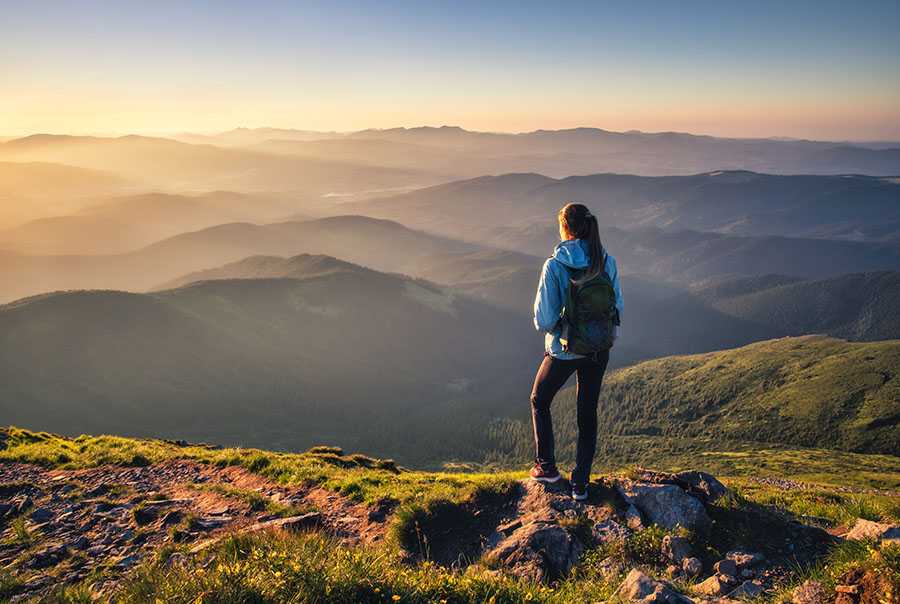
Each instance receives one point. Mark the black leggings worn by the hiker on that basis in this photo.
(550, 378)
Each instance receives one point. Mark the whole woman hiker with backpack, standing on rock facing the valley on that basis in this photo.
(578, 306)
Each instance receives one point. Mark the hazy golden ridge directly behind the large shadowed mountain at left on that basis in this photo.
(379, 244)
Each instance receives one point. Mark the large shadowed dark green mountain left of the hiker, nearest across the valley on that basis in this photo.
(293, 361)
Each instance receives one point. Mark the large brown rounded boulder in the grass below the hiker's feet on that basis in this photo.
(539, 551)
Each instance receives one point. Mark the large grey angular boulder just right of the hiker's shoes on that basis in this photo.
(666, 505)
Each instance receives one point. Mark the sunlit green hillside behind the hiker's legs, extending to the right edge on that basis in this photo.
(809, 391)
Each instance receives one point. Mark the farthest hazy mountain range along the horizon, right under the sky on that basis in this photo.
(453, 150)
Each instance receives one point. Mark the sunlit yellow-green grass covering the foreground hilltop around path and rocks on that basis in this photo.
(272, 567)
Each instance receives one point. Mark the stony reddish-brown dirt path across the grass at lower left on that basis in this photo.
(56, 527)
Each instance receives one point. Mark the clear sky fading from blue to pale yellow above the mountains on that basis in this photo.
(827, 70)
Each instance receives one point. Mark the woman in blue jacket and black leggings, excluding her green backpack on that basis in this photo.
(580, 256)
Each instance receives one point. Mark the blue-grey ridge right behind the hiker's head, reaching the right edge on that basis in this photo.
(736, 203)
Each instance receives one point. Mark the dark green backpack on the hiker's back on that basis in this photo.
(589, 315)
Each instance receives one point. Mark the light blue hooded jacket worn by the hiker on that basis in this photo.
(551, 294)
